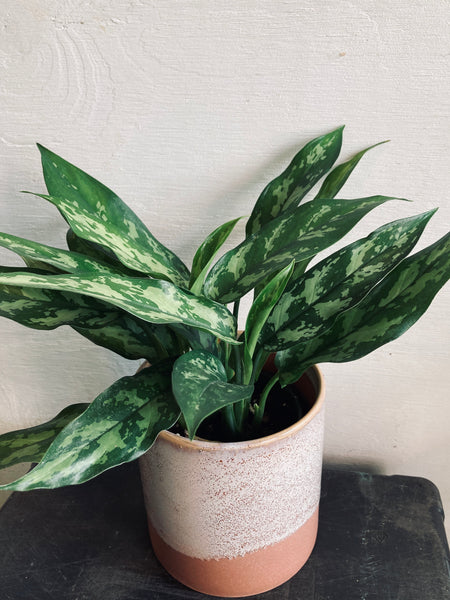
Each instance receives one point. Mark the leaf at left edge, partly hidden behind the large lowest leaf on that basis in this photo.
(29, 445)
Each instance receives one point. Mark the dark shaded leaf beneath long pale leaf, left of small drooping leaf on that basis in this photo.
(134, 339)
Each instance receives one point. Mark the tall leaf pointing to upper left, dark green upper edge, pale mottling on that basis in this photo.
(97, 214)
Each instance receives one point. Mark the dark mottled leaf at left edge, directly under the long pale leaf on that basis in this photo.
(47, 309)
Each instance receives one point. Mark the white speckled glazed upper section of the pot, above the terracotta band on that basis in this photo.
(223, 500)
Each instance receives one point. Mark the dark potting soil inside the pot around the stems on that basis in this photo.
(284, 407)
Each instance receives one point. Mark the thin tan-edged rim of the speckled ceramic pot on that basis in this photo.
(316, 378)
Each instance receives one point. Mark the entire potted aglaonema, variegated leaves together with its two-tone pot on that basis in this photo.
(232, 481)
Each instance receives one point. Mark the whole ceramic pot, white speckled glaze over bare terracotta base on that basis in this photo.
(237, 519)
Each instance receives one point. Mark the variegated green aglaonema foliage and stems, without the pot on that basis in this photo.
(118, 286)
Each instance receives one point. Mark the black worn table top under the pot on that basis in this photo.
(379, 537)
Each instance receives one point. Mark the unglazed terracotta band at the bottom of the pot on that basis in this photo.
(253, 573)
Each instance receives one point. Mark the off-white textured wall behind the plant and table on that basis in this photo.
(186, 109)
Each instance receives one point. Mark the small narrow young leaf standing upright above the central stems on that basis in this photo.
(263, 305)
